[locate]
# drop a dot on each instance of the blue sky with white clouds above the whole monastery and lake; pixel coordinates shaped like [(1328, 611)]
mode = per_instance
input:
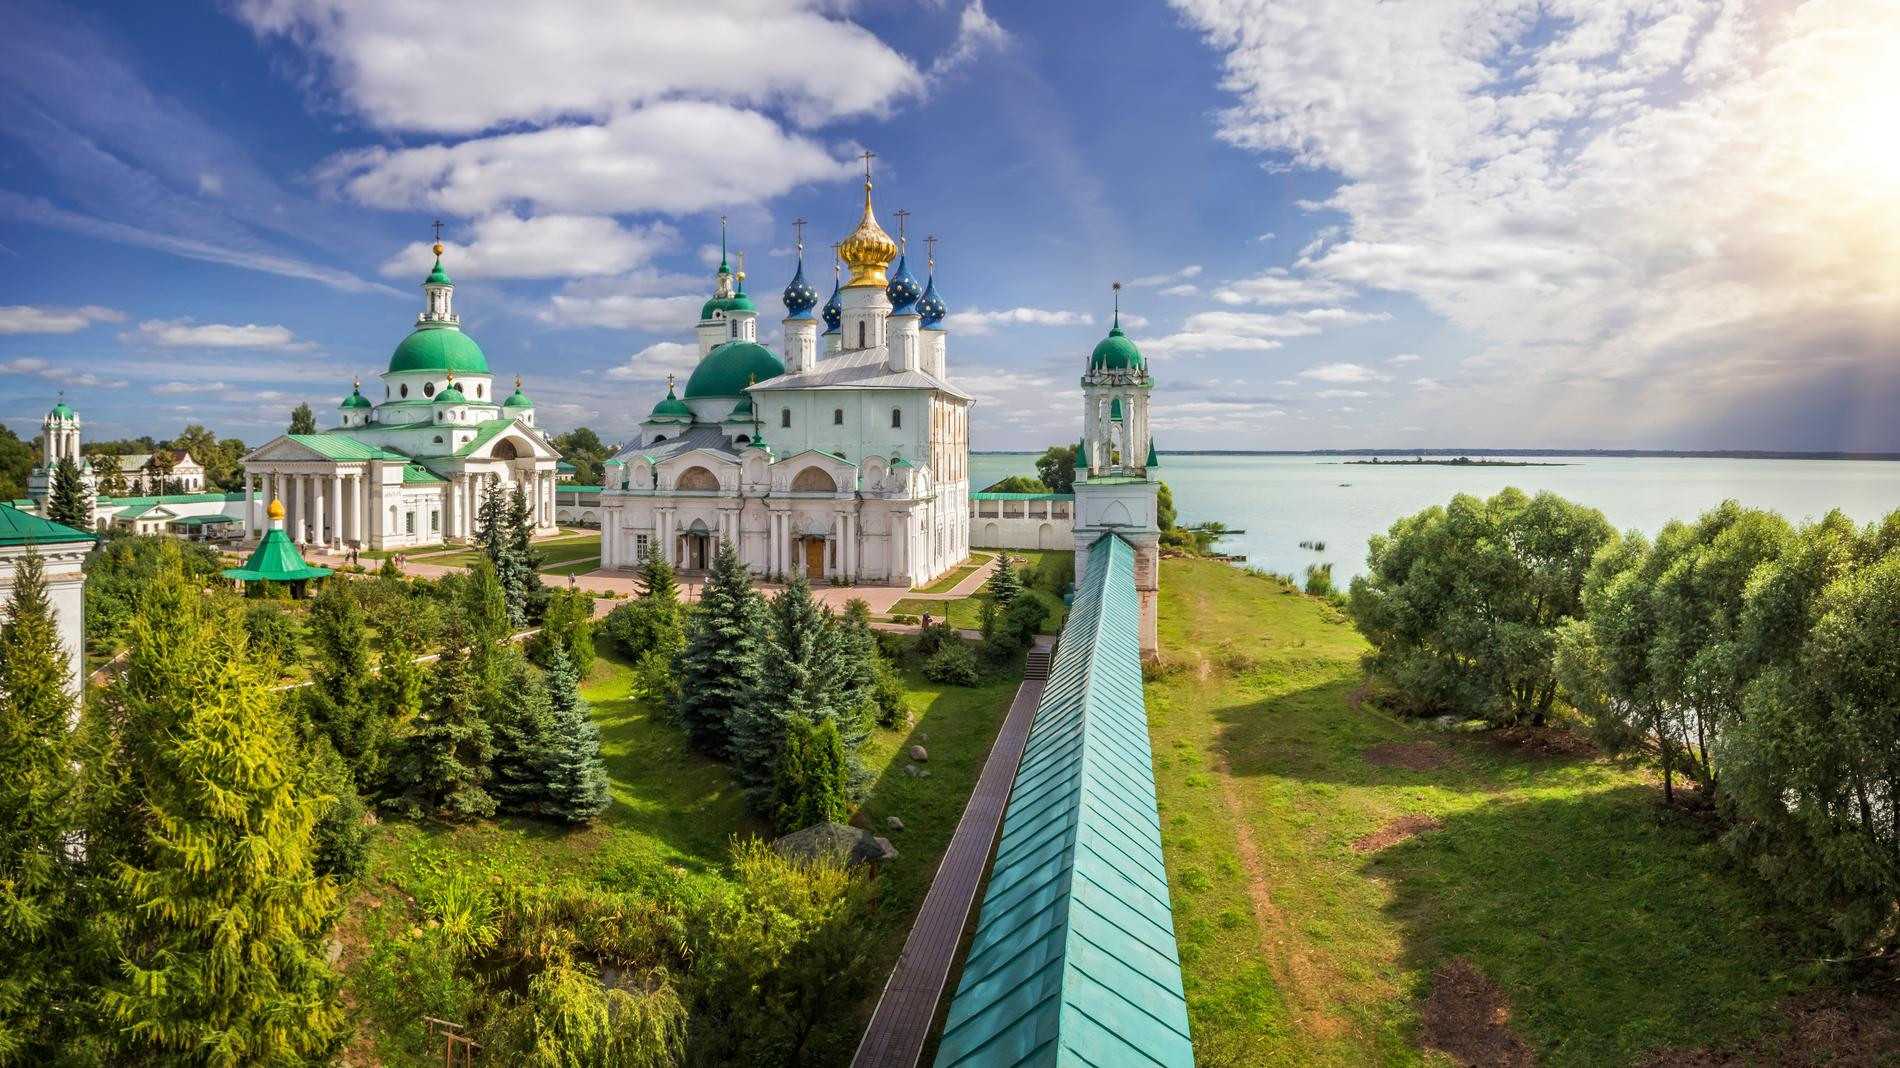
[(1339, 223)]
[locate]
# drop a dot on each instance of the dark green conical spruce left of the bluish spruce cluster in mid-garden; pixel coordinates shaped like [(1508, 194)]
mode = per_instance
[(453, 744)]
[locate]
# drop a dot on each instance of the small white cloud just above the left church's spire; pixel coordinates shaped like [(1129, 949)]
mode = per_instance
[(546, 246)]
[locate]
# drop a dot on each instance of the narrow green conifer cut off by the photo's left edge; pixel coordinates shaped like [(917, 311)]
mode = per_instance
[(37, 917)]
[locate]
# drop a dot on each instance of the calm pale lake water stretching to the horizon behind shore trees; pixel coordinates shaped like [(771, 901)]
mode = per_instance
[(1283, 501)]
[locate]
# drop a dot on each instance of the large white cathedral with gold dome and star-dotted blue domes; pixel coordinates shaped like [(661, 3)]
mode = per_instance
[(845, 459)]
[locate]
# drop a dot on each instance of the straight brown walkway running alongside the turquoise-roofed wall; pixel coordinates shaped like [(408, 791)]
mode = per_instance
[(909, 1004)]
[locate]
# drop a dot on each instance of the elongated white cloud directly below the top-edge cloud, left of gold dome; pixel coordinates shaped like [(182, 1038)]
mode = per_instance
[(674, 157)]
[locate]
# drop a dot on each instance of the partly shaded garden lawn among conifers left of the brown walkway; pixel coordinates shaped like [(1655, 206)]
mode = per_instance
[(675, 814)]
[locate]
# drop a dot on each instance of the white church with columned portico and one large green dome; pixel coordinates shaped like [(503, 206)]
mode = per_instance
[(415, 467)]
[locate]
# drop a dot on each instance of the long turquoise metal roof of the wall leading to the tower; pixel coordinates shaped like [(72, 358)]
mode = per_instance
[(1074, 959)]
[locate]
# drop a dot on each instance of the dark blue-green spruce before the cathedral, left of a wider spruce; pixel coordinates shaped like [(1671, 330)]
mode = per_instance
[(723, 664)]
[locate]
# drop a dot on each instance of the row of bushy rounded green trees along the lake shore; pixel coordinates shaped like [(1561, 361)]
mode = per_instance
[(1749, 658)]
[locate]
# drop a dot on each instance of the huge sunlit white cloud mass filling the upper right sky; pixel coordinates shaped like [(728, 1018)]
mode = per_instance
[(1648, 212)]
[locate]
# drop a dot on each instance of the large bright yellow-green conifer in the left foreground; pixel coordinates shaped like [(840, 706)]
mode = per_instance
[(218, 919)]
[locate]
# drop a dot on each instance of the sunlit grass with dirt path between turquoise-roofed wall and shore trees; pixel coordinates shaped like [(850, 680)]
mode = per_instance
[(1612, 925)]
